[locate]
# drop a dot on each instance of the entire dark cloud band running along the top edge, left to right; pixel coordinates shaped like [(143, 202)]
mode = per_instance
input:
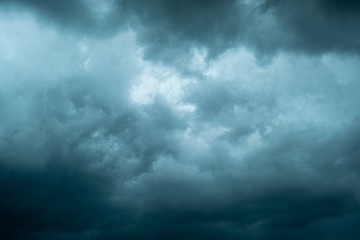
[(173, 28)]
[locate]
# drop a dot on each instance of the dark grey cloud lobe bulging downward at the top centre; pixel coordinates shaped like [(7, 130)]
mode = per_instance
[(169, 27)]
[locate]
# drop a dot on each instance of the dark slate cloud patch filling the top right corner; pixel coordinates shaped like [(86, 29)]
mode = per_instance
[(317, 26)]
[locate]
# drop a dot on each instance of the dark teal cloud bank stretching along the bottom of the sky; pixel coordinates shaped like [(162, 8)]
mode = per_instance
[(69, 200)]
